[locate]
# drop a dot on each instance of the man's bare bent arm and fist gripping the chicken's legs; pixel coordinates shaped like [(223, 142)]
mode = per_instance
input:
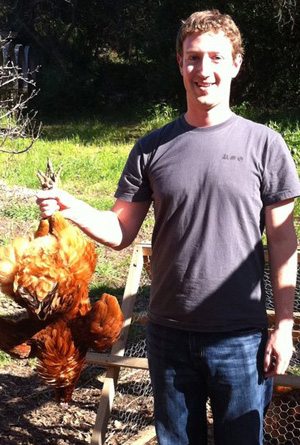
[(116, 228)]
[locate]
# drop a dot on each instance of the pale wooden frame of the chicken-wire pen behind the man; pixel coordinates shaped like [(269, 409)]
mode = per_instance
[(115, 360)]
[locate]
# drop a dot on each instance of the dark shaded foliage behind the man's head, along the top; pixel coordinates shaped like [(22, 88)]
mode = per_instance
[(98, 55)]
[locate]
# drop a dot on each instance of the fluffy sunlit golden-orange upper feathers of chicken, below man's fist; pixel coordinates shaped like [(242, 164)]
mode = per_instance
[(44, 273)]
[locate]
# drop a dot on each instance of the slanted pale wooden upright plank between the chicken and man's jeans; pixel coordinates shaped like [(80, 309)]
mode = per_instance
[(112, 374)]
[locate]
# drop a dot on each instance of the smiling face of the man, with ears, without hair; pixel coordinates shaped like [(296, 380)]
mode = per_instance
[(207, 68)]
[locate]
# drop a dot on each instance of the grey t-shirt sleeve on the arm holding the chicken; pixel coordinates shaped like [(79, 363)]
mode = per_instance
[(134, 185)]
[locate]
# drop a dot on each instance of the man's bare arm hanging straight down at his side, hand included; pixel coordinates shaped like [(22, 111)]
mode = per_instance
[(282, 247)]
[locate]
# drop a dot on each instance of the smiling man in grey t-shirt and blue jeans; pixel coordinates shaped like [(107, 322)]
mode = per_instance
[(216, 180)]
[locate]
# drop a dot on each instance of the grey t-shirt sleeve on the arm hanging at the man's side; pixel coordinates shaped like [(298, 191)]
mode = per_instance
[(280, 176)]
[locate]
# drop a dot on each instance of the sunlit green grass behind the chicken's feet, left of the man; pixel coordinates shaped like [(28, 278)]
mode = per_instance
[(92, 153)]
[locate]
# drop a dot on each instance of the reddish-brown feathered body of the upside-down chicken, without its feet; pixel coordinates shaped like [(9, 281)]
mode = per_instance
[(48, 274)]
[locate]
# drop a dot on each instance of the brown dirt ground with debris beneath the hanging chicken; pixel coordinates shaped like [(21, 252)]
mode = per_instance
[(28, 414)]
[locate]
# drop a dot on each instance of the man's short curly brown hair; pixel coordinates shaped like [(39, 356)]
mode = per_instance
[(210, 20)]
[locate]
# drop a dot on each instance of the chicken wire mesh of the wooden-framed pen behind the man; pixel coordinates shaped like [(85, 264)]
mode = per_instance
[(133, 404)]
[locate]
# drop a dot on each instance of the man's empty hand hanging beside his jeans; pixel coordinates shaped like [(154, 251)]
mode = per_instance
[(279, 351)]
